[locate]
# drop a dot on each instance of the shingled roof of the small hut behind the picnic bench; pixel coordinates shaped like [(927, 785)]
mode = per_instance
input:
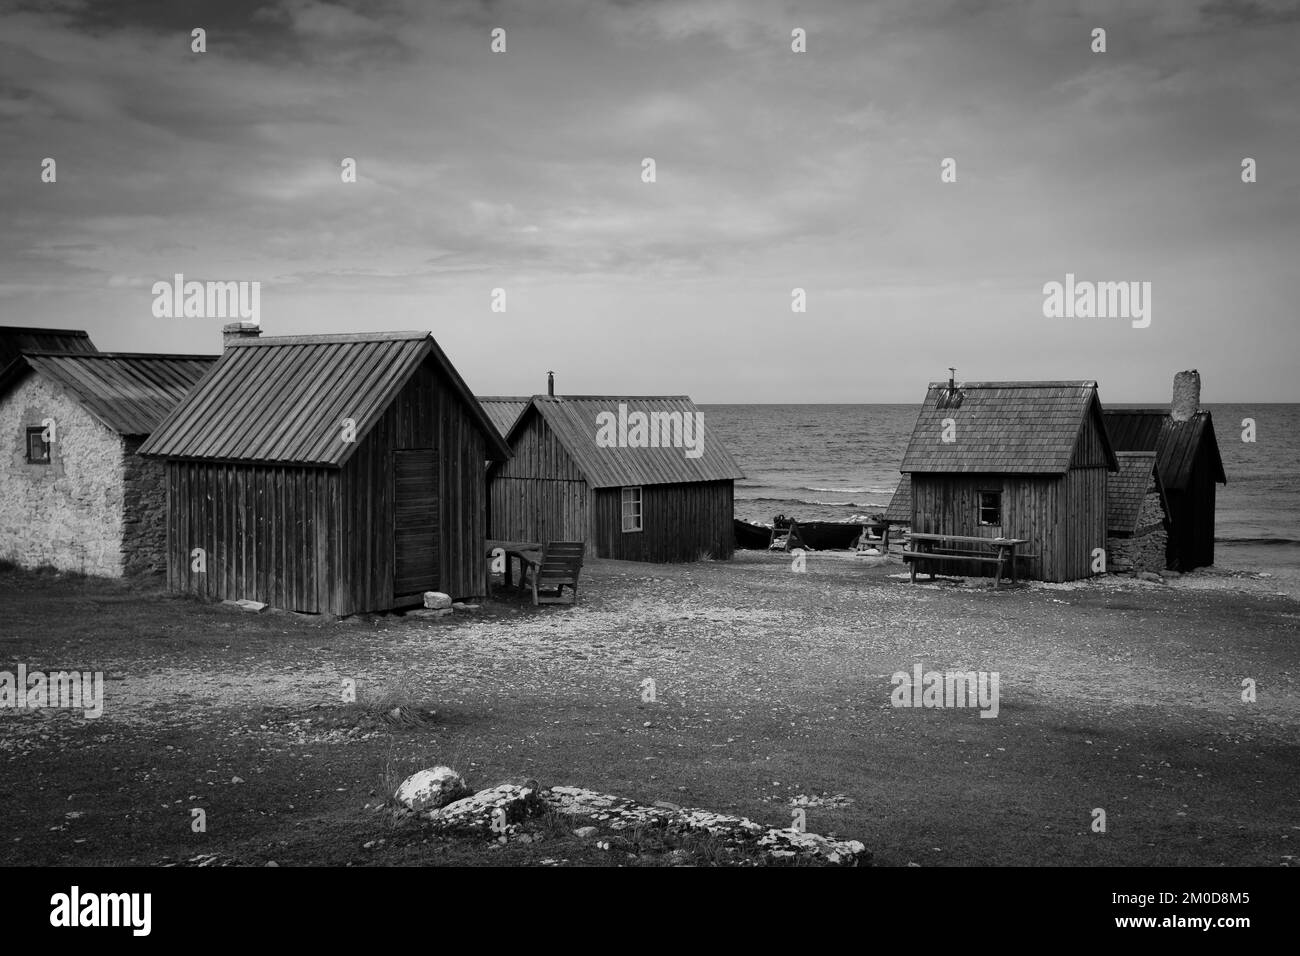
[(1021, 427)]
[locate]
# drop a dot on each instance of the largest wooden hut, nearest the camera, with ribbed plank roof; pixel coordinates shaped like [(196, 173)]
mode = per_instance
[(328, 474)]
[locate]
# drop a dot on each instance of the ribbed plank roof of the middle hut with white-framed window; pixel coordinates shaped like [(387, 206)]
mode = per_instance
[(574, 421)]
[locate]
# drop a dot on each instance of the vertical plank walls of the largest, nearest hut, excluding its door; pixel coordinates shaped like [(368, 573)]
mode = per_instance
[(323, 540)]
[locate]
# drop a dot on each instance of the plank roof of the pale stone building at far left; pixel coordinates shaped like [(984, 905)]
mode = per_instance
[(131, 393)]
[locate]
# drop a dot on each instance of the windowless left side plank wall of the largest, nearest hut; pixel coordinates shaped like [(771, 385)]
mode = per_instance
[(266, 531)]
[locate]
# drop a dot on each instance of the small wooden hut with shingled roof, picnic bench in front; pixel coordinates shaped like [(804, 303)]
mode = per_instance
[(1015, 460)]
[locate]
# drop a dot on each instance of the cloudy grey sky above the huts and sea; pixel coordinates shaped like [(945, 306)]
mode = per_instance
[(774, 171)]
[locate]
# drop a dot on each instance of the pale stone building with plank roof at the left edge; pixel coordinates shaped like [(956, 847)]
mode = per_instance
[(75, 495)]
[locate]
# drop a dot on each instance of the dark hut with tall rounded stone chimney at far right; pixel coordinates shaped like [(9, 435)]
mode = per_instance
[(1190, 468)]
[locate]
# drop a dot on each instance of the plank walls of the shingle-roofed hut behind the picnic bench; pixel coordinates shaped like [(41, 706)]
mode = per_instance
[(1064, 518)]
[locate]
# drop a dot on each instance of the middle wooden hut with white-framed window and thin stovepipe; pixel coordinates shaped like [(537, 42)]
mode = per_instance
[(635, 500)]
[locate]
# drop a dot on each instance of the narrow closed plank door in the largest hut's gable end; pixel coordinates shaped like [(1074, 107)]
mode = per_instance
[(415, 522)]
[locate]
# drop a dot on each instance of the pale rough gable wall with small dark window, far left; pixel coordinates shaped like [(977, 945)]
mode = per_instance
[(68, 513)]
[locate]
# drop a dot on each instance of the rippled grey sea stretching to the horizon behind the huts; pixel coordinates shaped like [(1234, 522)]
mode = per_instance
[(837, 462)]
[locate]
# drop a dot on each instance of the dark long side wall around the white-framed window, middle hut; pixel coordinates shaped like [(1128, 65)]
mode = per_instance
[(679, 522)]
